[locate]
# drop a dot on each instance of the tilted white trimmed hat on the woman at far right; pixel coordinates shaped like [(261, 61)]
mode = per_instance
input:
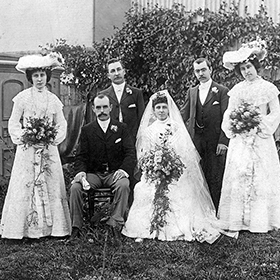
[(252, 49)]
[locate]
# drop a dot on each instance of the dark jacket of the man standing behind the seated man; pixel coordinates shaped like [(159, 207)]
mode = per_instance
[(131, 105)]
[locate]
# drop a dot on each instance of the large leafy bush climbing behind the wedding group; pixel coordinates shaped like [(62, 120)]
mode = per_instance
[(158, 47)]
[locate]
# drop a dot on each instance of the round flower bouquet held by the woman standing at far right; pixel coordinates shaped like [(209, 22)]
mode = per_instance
[(245, 118)]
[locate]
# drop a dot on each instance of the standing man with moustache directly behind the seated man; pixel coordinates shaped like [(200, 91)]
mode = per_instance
[(127, 101)]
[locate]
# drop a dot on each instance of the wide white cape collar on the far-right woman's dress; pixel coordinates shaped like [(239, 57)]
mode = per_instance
[(257, 92)]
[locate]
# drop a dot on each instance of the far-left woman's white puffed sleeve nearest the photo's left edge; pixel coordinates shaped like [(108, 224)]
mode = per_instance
[(14, 124)]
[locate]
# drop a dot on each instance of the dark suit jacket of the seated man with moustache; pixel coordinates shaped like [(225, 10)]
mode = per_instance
[(98, 149)]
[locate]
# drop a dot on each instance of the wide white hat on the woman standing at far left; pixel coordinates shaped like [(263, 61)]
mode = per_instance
[(51, 60)]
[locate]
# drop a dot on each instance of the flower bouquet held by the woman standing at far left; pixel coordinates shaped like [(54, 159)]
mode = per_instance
[(38, 131)]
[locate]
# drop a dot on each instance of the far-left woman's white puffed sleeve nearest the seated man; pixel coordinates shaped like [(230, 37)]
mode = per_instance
[(61, 122)]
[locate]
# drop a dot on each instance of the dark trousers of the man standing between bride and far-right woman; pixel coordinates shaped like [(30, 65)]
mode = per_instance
[(213, 165)]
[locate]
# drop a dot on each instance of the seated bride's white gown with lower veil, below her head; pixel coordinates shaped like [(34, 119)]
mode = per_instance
[(192, 210)]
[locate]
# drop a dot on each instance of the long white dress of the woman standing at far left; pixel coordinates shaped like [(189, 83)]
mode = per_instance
[(36, 210)]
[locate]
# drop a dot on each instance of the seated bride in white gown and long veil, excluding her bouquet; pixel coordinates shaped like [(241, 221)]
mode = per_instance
[(191, 210)]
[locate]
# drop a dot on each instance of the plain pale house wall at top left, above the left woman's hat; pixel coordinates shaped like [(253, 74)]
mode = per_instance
[(27, 24)]
